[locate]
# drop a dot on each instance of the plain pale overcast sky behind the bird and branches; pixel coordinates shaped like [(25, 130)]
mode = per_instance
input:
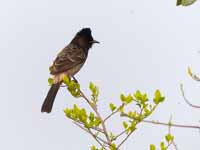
[(145, 45)]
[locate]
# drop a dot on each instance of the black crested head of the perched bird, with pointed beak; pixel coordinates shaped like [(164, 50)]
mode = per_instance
[(84, 39)]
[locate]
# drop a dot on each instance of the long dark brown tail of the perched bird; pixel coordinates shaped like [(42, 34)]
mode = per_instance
[(49, 100)]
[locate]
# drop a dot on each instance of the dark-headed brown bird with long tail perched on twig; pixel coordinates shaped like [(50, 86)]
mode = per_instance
[(67, 63)]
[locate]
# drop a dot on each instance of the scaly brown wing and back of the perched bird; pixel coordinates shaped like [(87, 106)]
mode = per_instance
[(69, 57)]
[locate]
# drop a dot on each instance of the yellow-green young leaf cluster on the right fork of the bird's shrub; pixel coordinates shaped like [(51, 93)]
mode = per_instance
[(145, 108)]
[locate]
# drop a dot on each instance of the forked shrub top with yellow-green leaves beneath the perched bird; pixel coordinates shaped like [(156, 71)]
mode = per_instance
[(95, 124)]
